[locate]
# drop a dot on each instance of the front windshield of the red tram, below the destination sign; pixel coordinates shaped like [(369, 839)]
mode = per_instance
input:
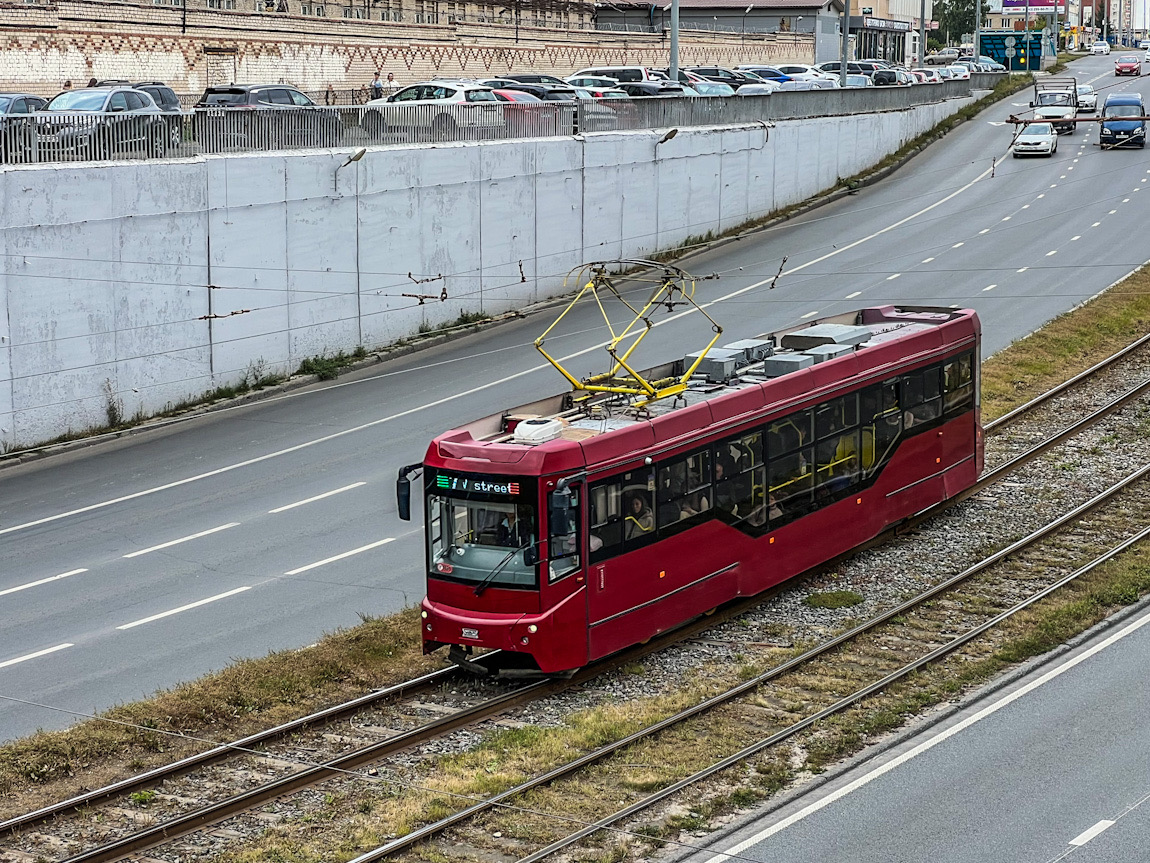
[(490, 544)]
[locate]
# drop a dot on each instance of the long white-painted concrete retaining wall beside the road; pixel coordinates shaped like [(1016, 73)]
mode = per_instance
[(131, 287)]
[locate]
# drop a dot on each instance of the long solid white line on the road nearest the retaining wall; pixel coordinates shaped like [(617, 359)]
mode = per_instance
[(501, 381)]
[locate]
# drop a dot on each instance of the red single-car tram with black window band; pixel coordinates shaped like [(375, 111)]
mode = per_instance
[(570, 529)]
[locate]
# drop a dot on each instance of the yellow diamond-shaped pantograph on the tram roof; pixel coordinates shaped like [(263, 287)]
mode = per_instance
[(673, 288)]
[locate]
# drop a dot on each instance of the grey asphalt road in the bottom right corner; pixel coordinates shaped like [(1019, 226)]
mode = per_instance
[(1054, 767)]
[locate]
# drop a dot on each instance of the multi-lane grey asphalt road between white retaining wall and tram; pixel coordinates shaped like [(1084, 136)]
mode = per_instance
[(137, 564)]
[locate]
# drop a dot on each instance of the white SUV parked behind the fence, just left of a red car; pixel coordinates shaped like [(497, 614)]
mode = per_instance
[(438, 109)]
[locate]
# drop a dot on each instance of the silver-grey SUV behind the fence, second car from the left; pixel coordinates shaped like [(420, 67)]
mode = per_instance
[(102, 123)]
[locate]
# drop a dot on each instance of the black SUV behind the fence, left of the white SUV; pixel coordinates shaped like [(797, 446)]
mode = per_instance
[(263, 116)]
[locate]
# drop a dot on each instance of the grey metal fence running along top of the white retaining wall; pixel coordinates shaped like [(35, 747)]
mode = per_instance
[(52, 138)]
